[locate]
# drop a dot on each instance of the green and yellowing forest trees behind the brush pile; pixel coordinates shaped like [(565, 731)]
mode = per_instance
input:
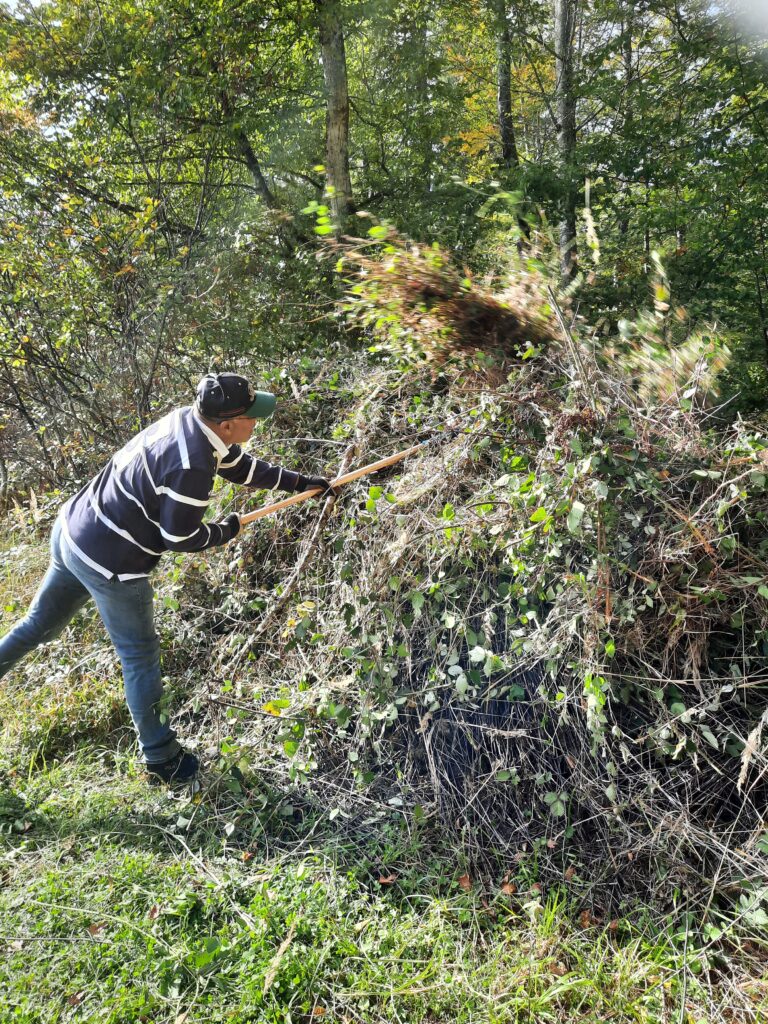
[(163, 166)]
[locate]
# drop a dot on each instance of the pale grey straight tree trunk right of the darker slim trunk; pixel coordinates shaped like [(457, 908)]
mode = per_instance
[(566, 12)]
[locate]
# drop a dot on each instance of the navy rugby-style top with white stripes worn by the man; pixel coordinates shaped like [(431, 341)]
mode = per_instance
[(153, 494)]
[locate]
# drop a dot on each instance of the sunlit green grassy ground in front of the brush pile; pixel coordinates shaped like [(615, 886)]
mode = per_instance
[(246, 902)]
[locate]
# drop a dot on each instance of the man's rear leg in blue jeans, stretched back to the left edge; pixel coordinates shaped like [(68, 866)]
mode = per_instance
[(60, 596)]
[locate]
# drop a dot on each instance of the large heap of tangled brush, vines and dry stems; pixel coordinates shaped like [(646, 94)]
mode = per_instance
[(550, 629)]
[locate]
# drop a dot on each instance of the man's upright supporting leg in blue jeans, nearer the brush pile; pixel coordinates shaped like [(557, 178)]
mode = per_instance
[(126, 610)]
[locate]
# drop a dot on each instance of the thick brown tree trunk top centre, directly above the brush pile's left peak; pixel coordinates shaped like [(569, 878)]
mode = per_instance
[(337, 102)]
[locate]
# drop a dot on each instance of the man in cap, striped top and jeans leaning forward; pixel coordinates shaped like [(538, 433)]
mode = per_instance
[(150, 498)]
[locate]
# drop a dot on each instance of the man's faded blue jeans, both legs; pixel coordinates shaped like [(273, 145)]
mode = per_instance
[(126, 611)]
